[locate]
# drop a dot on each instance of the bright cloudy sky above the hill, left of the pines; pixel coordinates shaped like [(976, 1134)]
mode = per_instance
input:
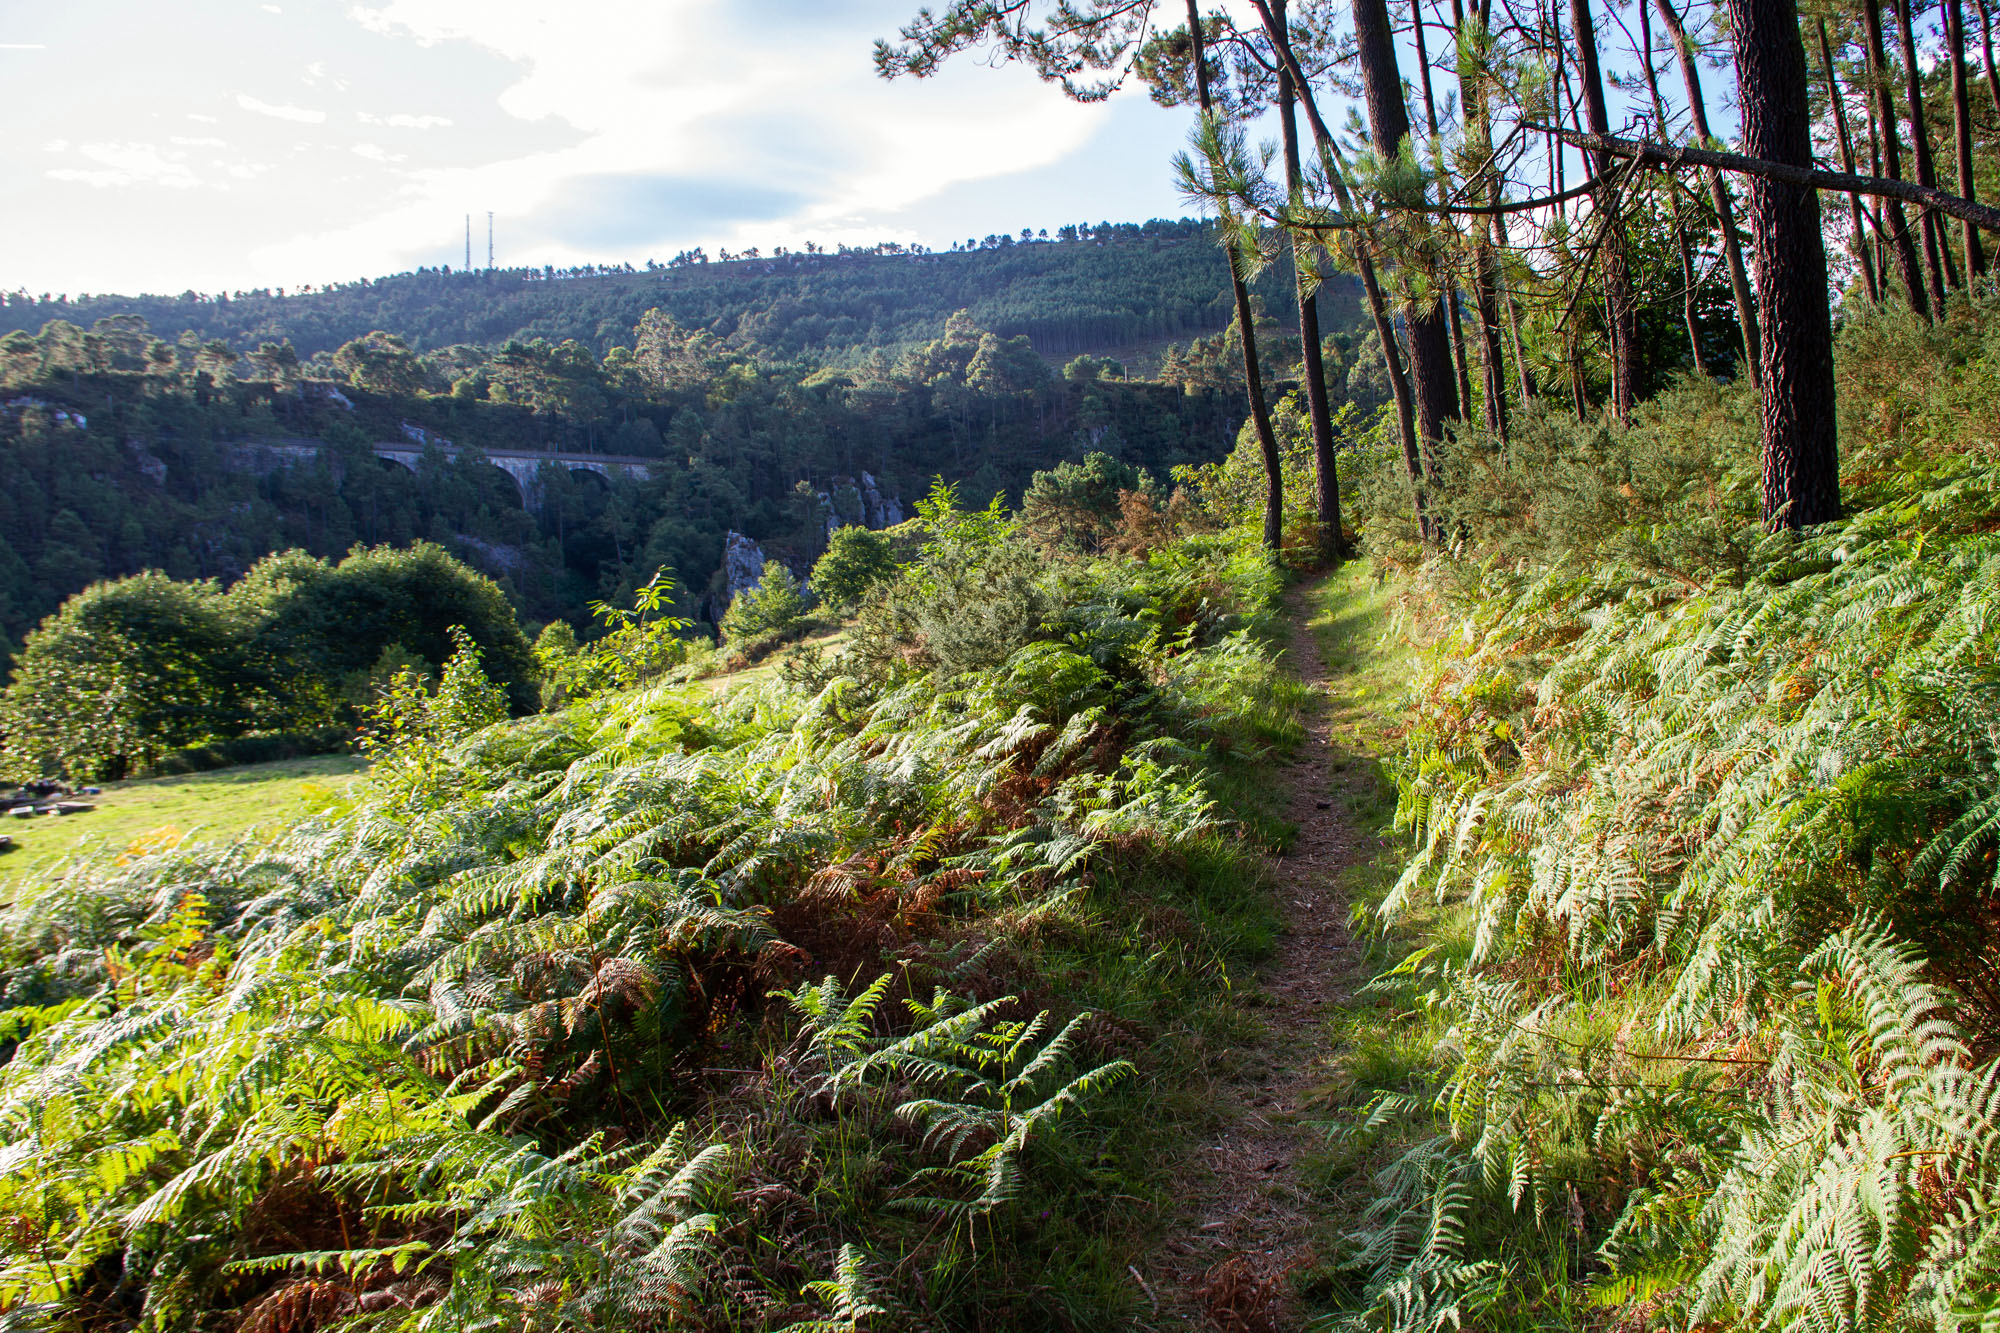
[(227, 145)]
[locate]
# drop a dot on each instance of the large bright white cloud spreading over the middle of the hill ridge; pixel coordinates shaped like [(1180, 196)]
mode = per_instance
[(695, 89)]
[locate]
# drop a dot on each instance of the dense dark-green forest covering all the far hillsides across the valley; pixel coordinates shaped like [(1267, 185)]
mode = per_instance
[(125, 451)]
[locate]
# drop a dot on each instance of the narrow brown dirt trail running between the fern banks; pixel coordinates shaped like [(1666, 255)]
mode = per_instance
[(1247, 1222)]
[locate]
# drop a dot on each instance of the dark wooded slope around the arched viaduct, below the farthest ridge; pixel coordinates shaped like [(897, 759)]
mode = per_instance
[(123, 453)]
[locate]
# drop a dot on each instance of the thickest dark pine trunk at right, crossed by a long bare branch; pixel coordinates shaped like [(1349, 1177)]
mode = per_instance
[(1801, 457)]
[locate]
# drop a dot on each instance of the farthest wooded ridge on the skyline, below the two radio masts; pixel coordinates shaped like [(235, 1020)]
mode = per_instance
[(1087, 289)]
